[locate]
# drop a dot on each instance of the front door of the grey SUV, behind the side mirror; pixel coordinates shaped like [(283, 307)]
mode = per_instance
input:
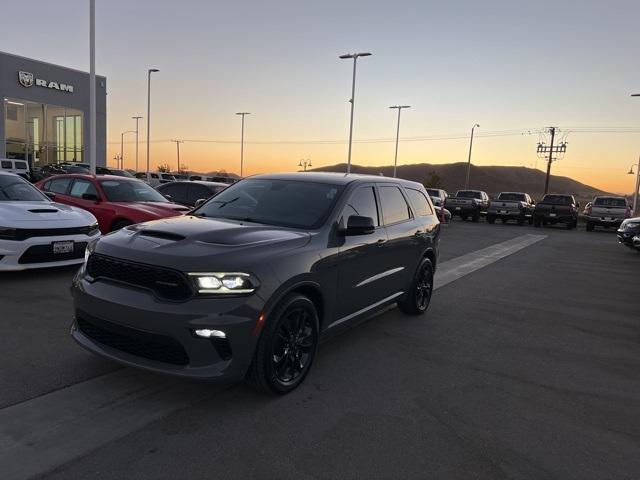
[(360, 263)]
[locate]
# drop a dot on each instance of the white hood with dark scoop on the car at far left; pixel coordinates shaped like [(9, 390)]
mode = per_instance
[(43, 215)]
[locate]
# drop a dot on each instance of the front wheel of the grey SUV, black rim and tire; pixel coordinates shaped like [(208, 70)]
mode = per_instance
[(291, 333)]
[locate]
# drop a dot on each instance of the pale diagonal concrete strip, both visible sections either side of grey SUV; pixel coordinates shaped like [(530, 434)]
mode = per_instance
[(43, 433)]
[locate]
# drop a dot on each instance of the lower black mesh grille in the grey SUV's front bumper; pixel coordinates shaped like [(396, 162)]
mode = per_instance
[(135, 342)]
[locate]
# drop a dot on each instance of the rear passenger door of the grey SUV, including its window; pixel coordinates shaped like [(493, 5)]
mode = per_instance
[(406, 246)]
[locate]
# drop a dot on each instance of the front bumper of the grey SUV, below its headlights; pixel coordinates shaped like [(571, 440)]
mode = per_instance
[(134, 328)]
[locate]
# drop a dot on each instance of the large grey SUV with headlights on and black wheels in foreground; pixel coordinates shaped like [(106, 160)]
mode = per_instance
[(246, 285)]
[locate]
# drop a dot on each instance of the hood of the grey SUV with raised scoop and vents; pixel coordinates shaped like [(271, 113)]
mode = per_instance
[(189, 243)]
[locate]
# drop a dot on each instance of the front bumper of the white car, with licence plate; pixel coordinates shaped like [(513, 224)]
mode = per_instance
[(37, 252)]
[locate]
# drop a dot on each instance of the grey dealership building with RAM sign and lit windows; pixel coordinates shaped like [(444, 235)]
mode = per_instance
[(44, 115)]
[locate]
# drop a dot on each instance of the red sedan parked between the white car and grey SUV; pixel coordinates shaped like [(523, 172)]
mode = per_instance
[(115, 201)]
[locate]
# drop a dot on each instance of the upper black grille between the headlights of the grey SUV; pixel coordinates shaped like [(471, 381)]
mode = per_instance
[(165, 283)]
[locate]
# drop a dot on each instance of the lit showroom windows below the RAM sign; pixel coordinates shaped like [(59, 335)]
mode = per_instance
[(41, 133)]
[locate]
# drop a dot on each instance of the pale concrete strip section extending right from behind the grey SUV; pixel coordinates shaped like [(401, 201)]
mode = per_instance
[(458, 267)]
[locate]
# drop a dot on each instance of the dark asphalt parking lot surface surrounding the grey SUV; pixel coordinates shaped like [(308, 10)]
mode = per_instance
[(527, 368)]
